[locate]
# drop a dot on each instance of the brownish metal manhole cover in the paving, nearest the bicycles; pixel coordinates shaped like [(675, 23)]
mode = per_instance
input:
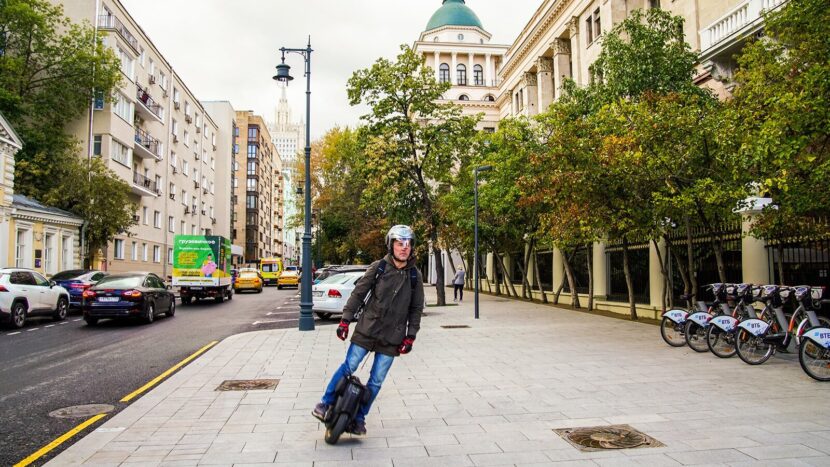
[(600, 438)]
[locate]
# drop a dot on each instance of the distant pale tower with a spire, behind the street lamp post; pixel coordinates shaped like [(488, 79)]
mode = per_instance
[(288, 137)]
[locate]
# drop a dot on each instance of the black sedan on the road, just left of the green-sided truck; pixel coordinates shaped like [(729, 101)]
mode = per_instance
[(140, 295)]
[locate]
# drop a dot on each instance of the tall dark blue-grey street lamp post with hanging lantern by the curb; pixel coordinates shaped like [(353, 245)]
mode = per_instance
[(306, 319)]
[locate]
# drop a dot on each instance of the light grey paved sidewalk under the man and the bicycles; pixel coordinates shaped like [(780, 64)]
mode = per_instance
[(491, 394)]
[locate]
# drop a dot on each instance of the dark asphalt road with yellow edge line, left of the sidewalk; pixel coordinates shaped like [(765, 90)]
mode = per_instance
[(50, 365)]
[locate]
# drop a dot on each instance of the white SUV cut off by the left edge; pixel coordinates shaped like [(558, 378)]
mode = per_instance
[(24, 293)]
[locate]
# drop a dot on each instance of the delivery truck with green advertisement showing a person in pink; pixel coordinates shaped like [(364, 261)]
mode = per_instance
[(202, 267)]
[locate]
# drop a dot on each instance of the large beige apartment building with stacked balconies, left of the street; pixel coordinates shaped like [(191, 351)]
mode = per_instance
[(156, 136)]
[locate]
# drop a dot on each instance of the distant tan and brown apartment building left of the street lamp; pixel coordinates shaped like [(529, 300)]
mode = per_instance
[(254, 200)]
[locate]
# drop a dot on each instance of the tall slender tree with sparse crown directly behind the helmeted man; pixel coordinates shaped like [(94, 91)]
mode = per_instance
[(412, 143)]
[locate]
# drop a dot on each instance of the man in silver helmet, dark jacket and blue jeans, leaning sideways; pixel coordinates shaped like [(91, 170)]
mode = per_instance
[(388, 323)]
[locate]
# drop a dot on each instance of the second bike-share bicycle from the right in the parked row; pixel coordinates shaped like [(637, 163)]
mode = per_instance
[(758, 340)]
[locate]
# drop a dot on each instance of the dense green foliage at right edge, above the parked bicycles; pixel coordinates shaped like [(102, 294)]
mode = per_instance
[(782, 103)]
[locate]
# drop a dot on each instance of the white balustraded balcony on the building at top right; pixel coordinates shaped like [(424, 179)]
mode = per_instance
[(729, 30)]
